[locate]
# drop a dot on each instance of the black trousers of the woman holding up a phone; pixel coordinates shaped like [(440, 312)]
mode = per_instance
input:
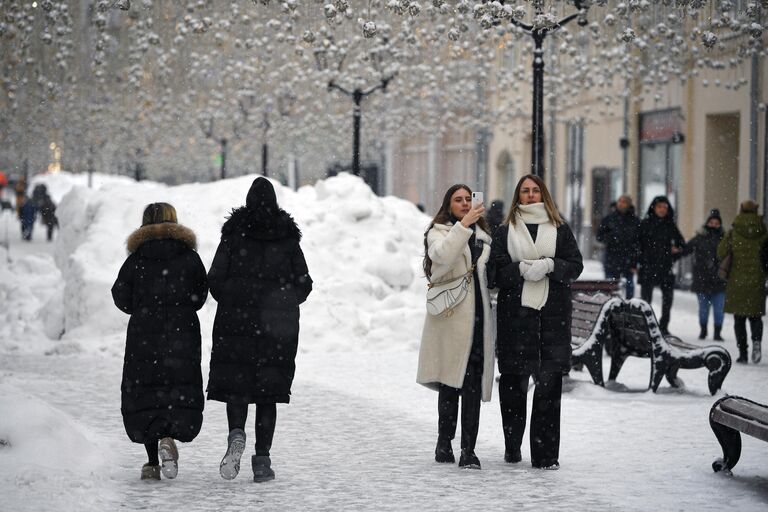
[(448, 409)]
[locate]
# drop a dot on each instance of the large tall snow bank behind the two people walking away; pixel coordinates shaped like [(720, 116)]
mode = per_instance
[(364, 255)]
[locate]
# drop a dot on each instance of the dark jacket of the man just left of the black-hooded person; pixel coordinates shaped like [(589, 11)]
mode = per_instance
[(619, 232)]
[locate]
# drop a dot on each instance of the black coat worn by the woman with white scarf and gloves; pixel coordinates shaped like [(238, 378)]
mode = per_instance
[(530, 341)]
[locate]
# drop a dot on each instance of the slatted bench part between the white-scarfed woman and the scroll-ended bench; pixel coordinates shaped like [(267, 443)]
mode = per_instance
[(590, 330)]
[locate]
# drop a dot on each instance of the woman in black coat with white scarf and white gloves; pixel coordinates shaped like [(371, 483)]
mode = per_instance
[(534, 259)]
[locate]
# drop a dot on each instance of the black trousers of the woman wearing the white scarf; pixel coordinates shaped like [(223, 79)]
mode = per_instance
[(545, 416)]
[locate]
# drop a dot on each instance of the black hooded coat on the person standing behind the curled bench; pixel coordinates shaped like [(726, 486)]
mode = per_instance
[(657, 235)]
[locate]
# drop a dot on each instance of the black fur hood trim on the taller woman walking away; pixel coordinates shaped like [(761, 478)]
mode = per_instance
[(249, 223)]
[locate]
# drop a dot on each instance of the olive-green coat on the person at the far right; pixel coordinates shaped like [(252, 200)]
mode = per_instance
[(745, 291)]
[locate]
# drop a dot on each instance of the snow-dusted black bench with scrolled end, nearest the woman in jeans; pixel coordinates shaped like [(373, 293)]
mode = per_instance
[(635, 332)]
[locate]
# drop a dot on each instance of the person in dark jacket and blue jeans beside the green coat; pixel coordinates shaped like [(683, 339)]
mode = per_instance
[(707, 285)]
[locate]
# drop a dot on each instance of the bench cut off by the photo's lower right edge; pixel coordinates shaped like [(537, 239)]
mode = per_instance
[(731, 415)]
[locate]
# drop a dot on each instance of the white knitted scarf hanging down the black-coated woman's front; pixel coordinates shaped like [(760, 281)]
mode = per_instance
[(521, 247)]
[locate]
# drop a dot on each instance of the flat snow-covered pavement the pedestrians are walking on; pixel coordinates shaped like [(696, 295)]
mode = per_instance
[(359, 435)]
